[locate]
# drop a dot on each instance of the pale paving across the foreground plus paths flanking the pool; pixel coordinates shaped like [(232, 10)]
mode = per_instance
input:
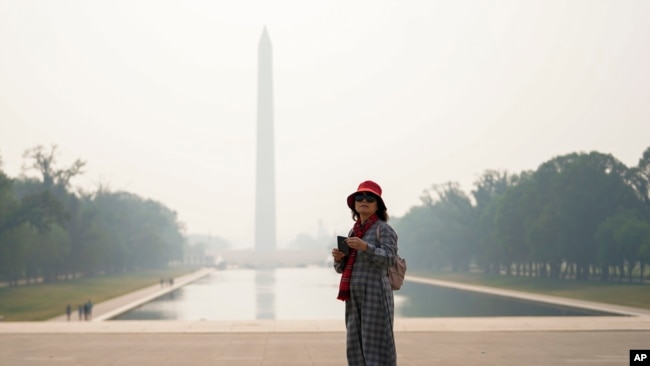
[(503, 341)]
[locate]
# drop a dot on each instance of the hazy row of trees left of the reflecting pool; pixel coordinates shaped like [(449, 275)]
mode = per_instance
[(51, 233)]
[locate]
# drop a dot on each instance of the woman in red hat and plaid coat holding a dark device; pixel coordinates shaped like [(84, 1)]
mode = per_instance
[(369, 305)]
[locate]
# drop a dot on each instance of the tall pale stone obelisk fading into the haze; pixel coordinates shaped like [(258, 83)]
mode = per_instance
[(265, 166)]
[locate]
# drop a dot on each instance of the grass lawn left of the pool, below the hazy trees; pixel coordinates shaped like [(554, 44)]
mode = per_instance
[(45, 301)]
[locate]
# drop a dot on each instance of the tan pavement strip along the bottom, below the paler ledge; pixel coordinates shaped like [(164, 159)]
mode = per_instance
[(502, 348)]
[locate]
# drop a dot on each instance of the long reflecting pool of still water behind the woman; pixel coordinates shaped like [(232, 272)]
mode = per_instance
[(310, 293)]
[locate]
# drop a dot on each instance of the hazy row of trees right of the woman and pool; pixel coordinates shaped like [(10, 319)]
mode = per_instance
[(577, 216)]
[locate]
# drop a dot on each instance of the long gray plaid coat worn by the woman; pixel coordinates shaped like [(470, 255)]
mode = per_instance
[(369, 312)]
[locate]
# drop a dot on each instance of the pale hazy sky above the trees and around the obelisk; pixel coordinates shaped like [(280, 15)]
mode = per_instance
[(159, 97)]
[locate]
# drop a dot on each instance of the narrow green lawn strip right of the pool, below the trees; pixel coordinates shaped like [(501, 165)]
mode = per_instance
[(626, 294)]
